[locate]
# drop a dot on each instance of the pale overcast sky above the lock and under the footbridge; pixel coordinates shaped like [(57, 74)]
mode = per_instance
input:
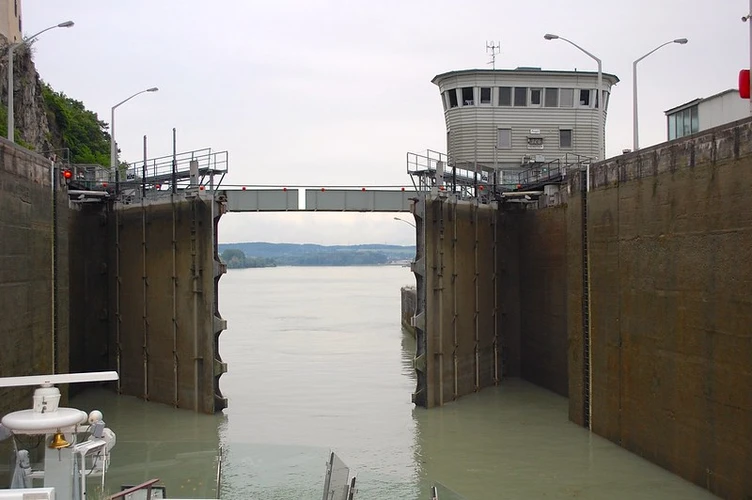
[(329, 92)]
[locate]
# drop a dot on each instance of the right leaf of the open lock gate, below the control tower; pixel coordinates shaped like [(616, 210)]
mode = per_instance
[(457, 323)]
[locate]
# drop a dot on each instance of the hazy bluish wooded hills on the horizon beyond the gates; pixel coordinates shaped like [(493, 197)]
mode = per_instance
[(309, 254)]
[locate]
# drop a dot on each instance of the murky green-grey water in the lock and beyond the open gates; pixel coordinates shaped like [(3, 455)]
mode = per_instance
[(318, 361)]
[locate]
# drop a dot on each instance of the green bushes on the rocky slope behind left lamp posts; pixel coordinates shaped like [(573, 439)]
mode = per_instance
[(80, 130)]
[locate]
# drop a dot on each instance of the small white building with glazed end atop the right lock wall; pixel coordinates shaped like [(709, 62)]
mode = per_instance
[(702, 114)]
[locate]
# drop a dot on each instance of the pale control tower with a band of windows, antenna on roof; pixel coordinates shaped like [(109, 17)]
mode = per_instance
[(506, 120)]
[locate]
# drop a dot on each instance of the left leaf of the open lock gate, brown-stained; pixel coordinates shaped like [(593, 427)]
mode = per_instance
[(164, 289)]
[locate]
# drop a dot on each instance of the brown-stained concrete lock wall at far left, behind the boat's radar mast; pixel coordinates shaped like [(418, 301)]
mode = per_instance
[(33, 271)]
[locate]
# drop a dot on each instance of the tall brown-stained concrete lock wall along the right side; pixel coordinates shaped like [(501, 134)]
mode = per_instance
[(670, 251)]
